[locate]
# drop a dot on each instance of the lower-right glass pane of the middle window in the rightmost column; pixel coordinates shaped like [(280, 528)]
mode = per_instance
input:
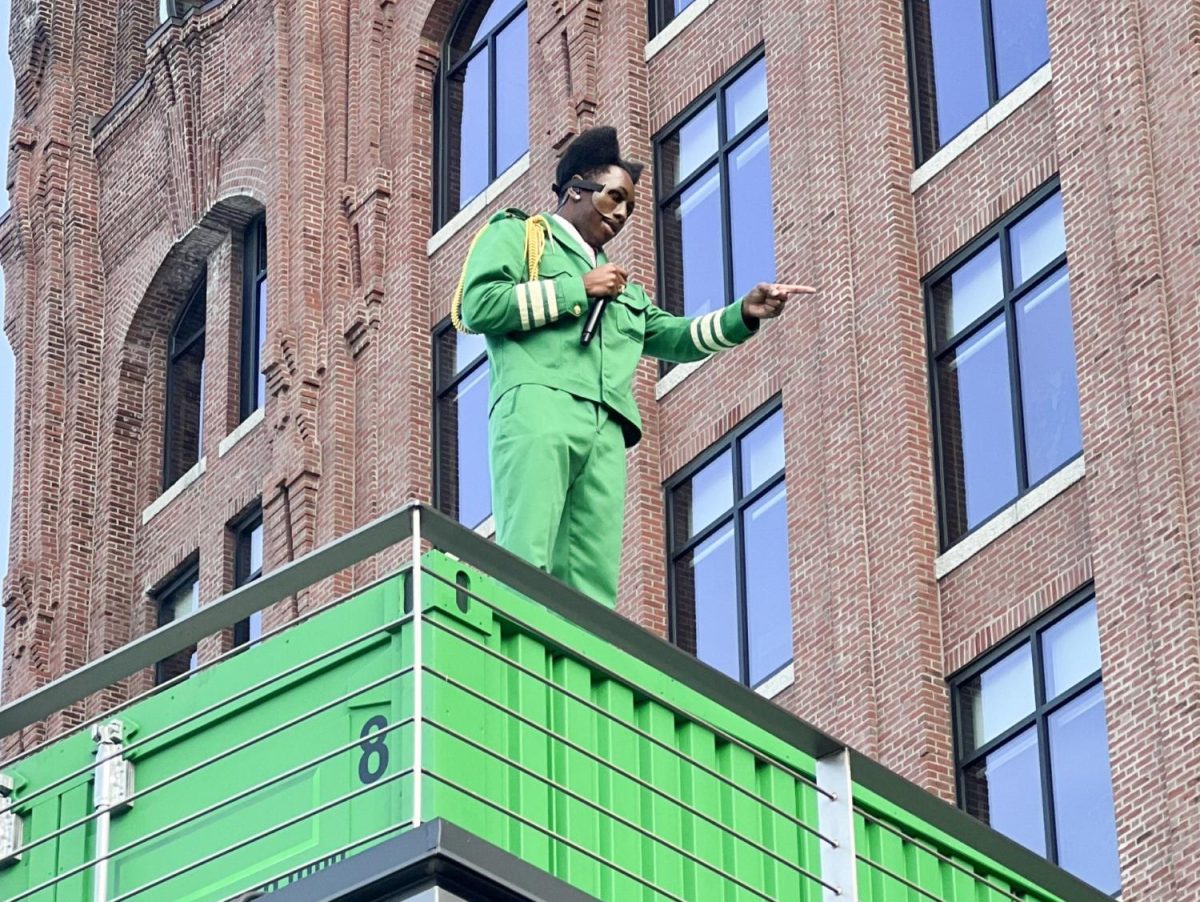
[(1049, 392)]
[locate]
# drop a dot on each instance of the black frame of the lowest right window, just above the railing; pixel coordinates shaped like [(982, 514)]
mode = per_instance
[(1039, 719)]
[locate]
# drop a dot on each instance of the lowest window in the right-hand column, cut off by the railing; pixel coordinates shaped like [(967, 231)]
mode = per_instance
[(1031, 744)]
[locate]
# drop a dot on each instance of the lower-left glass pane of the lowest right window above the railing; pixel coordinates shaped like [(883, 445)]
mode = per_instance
[(1005, 790)]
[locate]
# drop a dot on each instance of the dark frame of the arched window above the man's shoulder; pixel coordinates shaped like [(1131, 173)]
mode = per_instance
[(446, 71)]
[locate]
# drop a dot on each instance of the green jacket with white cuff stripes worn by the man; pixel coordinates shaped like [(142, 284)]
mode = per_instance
[(532, 328)]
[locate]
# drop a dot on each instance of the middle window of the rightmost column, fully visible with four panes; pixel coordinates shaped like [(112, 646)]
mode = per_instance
[(1004, 363)]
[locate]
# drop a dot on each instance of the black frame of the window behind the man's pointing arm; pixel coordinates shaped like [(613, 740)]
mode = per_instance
[(725, 146)]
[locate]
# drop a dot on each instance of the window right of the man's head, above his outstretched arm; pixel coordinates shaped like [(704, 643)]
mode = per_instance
[(716, 237)]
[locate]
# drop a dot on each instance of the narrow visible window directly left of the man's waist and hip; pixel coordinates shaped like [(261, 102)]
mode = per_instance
[(463, 477)]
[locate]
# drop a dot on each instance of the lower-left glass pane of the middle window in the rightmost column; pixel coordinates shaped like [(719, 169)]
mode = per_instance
[(976, 430)]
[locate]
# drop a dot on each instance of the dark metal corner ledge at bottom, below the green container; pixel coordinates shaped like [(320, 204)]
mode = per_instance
[(435, 855)]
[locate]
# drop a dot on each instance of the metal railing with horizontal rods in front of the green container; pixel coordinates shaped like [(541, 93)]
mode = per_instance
[(422, 527)]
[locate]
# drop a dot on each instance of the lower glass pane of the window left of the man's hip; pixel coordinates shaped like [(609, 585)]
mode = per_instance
[(464, 466)]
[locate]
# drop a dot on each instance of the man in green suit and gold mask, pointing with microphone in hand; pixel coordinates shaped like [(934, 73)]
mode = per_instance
[(562, 408)]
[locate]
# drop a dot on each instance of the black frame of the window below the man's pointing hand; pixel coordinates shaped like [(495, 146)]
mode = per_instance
[(742, 502)]
